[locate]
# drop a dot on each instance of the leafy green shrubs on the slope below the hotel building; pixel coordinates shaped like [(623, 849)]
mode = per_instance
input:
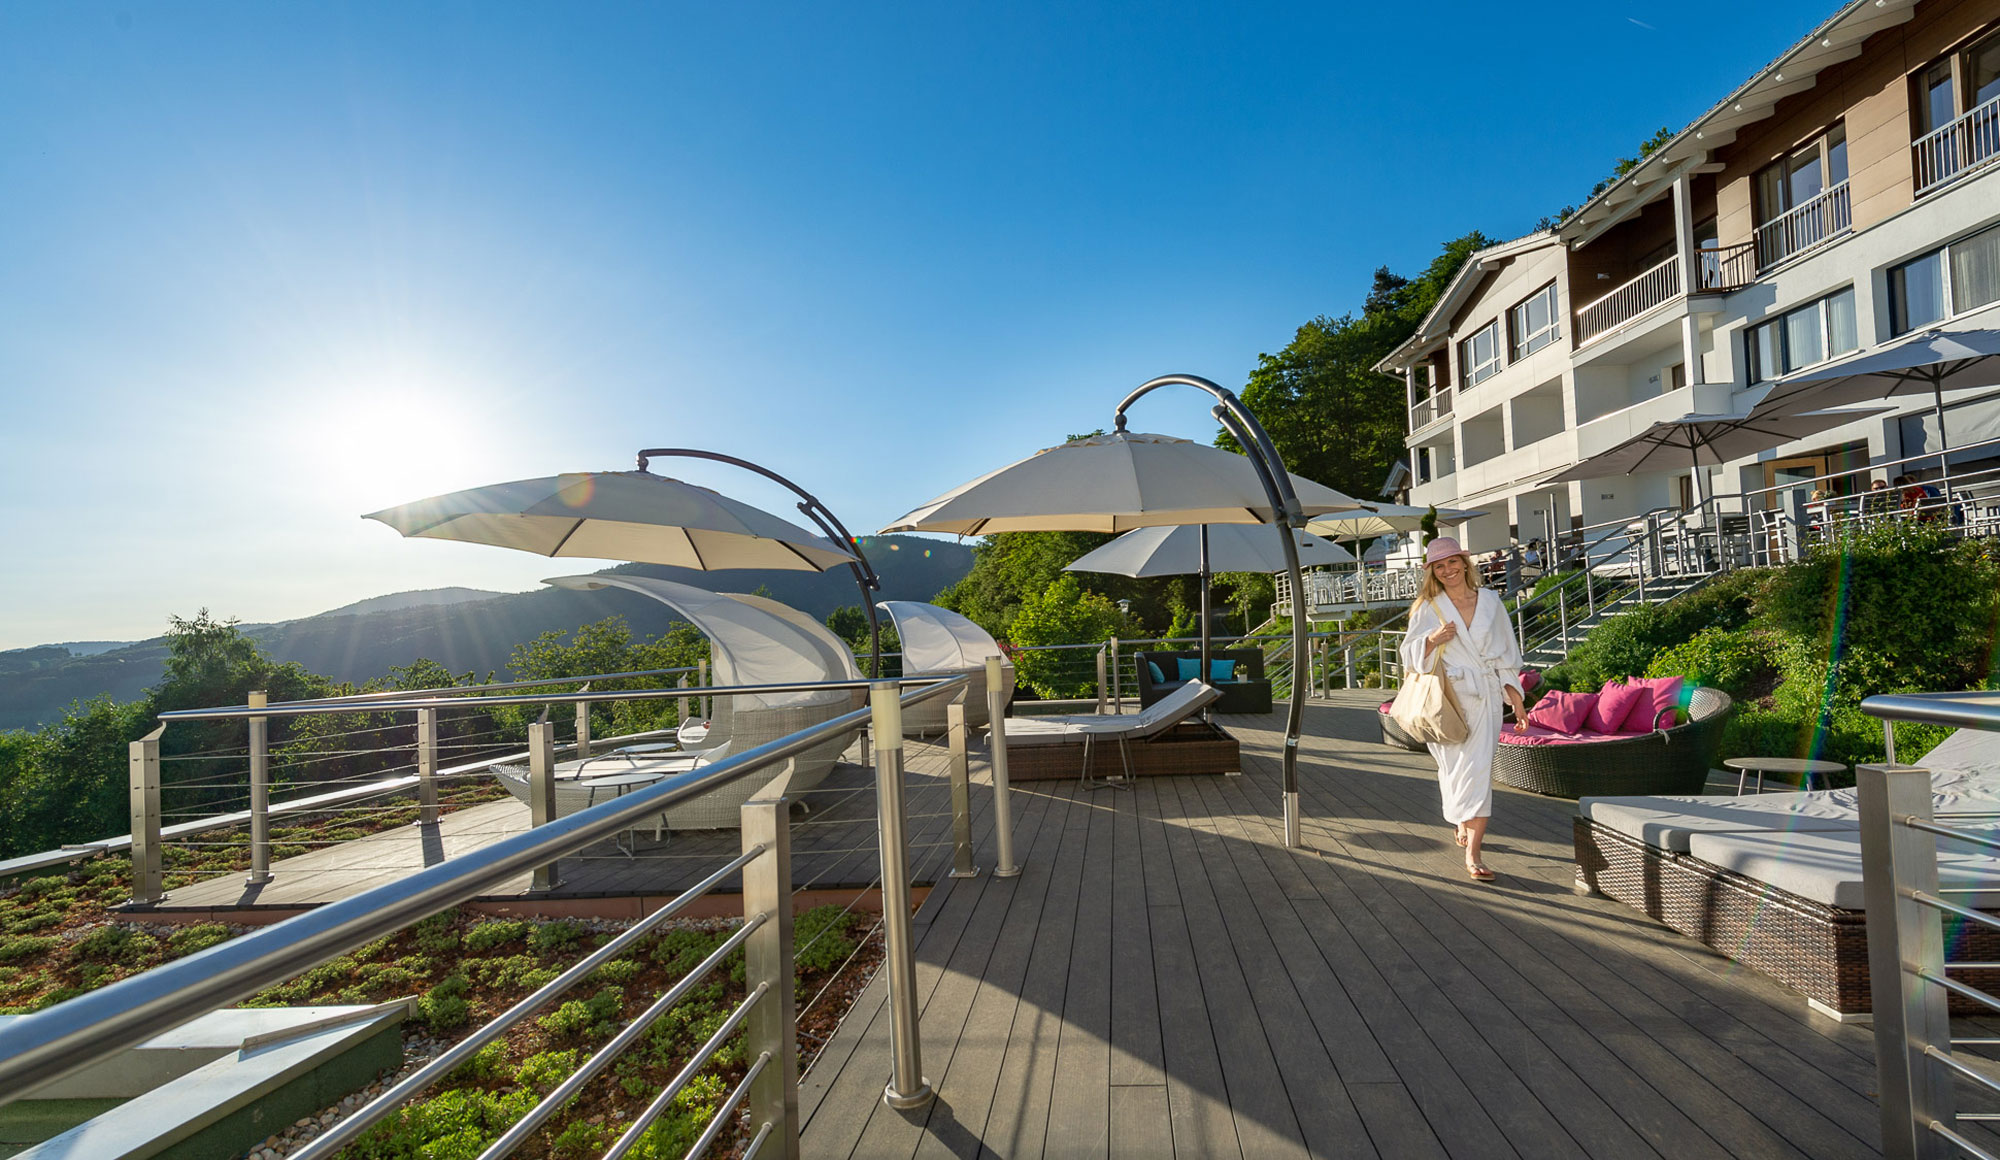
[(1901, 607)]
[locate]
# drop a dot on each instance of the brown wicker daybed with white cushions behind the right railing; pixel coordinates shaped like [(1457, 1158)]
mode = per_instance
[(1775, 881)]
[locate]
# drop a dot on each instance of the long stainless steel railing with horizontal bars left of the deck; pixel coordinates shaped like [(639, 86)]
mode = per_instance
[(87, 1029)]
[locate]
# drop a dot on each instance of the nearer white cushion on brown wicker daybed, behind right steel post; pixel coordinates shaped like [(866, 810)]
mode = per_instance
[(1827, 867)]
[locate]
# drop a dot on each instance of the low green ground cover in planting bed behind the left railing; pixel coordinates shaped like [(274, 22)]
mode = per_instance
[(63, 939)]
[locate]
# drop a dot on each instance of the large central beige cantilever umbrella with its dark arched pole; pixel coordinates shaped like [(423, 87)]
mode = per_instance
[(1123, 481)]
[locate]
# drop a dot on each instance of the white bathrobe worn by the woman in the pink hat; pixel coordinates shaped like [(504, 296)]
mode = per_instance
[(1481, 661)]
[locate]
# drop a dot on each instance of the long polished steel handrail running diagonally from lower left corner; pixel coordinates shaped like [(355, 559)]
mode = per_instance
[(73, 1035)]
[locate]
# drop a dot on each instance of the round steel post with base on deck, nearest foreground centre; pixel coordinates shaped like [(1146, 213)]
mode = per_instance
[(907, 1087)]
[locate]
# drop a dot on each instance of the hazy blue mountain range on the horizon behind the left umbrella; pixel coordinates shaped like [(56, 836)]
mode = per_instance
[(461, 629)]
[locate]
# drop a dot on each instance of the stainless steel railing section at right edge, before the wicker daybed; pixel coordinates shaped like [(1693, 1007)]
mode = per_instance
[(1919, 1061)]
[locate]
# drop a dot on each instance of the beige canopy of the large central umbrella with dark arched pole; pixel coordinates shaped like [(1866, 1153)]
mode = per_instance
[(1115, 483)]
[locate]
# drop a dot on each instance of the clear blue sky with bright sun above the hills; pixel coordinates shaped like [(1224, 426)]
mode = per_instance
[(267, 267)]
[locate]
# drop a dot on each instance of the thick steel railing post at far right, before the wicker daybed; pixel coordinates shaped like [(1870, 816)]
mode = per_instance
[(1905, 937)]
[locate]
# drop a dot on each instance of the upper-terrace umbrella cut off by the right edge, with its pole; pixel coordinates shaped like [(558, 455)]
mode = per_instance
[(1933, 363)]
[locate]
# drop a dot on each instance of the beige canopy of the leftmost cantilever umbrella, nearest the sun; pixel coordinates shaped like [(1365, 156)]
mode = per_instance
[(619, 517)]
